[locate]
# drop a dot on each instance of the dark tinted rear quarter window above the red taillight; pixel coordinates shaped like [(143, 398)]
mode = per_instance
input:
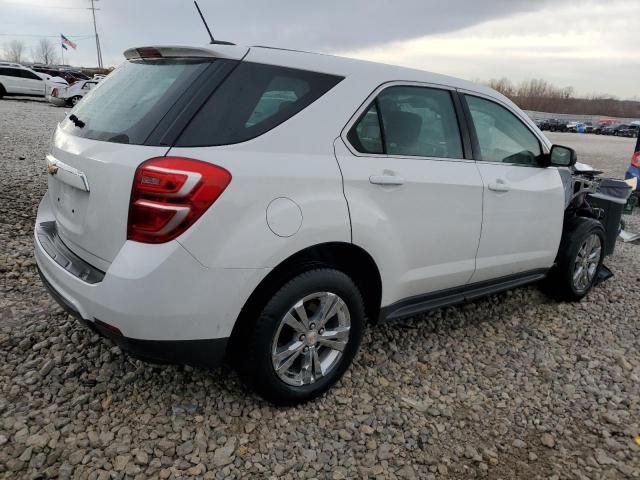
[(254, 99)]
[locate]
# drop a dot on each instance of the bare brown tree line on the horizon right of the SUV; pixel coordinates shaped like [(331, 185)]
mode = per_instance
[(542, 96)]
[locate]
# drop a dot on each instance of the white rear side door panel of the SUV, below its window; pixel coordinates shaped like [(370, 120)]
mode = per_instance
[(422, 234)]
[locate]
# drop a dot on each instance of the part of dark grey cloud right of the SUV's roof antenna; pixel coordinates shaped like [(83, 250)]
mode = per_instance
[(347, 24)]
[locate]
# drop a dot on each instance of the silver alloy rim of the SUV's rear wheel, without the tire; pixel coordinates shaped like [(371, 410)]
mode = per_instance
[(311, 338)]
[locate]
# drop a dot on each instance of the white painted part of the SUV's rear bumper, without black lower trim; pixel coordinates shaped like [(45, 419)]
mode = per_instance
[(155, 292)]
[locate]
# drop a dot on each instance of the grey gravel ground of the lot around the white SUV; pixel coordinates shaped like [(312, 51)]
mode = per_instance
[(513, 386)]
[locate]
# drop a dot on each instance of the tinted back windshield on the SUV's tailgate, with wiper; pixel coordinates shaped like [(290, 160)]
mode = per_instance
[(131, 101)]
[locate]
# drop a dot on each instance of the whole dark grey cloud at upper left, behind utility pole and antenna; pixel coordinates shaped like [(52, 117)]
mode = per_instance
[(329, 25)]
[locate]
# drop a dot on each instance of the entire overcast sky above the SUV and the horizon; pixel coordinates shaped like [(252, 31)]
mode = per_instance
[(591, 45)]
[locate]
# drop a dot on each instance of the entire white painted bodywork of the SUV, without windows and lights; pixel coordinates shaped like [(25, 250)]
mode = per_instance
[(423, 235)]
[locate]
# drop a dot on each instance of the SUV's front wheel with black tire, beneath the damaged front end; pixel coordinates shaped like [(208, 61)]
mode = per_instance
[(579, 259)]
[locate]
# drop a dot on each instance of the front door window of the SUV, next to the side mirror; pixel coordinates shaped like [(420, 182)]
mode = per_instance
[(502, 137)]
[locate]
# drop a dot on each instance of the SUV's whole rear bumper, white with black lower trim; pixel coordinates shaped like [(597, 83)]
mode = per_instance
[(156, 301)]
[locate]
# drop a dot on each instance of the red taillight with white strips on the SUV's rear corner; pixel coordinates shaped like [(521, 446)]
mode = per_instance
[(169, 194)]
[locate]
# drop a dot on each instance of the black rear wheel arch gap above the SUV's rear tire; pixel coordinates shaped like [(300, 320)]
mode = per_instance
[(346, 257)]
